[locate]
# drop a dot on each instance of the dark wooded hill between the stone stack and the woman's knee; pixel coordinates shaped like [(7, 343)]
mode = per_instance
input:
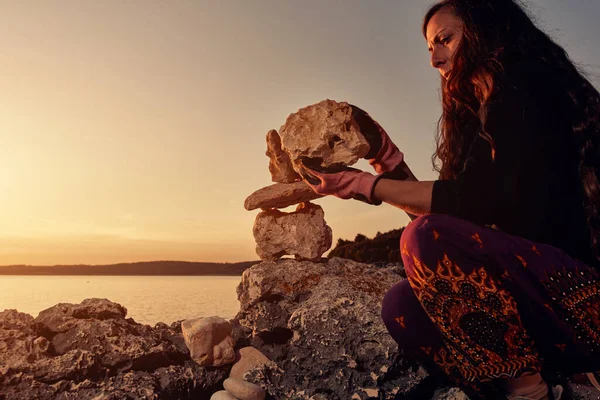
[(383, 248)]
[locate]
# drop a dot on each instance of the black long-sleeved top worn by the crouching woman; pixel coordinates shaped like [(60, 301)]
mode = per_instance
[(530, 186)]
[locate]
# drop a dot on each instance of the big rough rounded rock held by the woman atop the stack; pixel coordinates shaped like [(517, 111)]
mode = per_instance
[(326, 131)]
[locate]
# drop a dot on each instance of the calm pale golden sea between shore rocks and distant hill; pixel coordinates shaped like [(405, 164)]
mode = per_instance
[(148, 299)]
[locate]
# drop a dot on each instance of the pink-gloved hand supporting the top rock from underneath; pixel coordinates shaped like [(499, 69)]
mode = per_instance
[(340, 181)]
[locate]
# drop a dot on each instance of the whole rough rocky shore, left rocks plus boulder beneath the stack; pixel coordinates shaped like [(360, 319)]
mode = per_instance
[(317, 324)]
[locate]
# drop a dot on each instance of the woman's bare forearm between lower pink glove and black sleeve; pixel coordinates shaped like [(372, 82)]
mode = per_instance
[(412, 196)]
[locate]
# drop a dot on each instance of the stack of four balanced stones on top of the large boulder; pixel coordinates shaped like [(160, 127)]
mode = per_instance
[(325, 133)]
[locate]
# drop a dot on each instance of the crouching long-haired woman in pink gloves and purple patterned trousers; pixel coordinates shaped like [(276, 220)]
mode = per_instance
[(502, 261)]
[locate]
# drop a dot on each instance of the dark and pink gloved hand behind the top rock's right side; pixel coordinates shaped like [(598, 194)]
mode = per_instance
[(383, 155)]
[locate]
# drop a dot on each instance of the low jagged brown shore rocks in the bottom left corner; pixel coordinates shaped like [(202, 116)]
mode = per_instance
[(90, 350)]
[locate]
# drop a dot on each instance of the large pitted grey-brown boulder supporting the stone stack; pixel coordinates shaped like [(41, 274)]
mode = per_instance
[(320, 323)]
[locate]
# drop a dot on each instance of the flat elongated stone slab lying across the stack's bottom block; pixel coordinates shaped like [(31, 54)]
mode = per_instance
[(280, 195)]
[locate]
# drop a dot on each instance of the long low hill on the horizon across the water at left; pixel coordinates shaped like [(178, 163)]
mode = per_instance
[(138, 268)]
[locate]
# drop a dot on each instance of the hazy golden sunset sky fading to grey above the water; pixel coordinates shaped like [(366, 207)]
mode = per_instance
[(134, 131)]
